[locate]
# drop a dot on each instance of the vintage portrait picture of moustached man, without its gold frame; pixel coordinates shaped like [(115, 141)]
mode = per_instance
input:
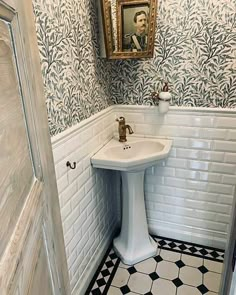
[(135, 28)]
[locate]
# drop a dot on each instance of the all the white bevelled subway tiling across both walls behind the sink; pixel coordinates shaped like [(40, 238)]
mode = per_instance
[(188, 196)]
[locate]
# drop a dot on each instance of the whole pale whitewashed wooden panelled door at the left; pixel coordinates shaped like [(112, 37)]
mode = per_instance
[(32, 255)]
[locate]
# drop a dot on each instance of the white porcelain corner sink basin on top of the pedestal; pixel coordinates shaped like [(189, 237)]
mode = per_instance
[(137, 153)]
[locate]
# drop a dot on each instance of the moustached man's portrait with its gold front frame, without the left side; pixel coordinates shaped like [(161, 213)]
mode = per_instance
[(136, 21)]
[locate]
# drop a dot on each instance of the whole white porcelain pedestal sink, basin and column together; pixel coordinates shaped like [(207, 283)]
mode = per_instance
[(132, 158)]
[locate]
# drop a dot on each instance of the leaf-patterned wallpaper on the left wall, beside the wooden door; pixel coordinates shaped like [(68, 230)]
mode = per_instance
[(76, 80)]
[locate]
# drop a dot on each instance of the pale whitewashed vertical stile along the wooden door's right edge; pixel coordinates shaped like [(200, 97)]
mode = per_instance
[(21, 16)]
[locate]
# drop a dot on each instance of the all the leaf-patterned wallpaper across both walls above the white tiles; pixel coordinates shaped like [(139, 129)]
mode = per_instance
[(195, 51)]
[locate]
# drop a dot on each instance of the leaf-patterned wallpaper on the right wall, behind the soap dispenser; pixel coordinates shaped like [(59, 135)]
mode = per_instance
[(195, 50)]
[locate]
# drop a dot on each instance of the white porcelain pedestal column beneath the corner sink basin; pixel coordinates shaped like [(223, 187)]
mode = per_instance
[(134, 243)]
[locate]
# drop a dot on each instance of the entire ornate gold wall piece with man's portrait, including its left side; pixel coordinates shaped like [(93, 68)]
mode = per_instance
[(131, 43)]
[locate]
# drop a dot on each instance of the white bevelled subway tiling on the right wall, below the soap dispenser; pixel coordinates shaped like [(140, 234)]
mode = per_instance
[(189, 195)]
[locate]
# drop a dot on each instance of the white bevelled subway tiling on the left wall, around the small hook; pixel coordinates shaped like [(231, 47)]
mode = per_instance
[(87, 197)]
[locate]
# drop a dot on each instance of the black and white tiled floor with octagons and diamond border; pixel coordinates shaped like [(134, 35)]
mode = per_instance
[(179, 268)]
